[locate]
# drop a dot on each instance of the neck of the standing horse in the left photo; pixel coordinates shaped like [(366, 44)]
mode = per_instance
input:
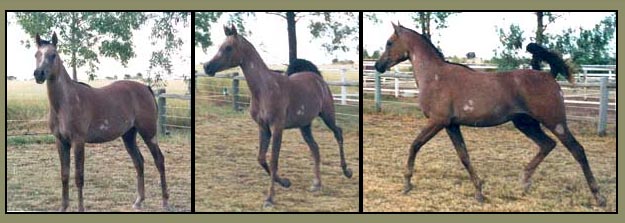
[(59, 89)]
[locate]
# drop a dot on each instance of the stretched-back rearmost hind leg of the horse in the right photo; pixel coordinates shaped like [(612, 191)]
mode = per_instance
[(561, 130)]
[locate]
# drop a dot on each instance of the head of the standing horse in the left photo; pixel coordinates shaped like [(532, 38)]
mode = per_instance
[(48, 61)]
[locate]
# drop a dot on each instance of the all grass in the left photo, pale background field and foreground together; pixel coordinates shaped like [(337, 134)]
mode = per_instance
[(33, 167)]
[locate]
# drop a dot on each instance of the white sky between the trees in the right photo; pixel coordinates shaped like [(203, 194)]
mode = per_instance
[(475, 31)]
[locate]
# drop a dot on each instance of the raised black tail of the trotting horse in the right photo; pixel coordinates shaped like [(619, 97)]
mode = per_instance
[(558, 65)]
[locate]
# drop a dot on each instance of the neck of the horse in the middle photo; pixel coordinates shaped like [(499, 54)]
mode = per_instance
[(258, 76)]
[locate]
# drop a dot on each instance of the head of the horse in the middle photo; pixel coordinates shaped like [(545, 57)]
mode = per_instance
[(229, 55)]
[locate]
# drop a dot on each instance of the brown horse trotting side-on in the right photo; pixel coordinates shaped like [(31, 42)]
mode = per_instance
[(452, 95)]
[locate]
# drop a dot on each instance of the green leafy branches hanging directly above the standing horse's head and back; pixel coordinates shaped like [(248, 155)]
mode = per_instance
[(81, 32)]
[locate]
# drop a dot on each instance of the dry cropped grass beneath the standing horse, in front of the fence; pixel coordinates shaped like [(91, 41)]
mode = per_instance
[(33, 178)]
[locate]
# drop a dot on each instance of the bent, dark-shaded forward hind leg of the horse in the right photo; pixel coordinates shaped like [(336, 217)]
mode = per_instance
[(531, 128)]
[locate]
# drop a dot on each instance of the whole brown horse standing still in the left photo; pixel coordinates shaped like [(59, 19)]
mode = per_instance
[(80, 114)]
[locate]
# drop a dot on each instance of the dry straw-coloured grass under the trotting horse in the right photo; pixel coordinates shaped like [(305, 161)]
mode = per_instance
[(498, 154)]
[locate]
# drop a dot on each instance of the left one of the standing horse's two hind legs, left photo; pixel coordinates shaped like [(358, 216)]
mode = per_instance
[(130, 141)]
